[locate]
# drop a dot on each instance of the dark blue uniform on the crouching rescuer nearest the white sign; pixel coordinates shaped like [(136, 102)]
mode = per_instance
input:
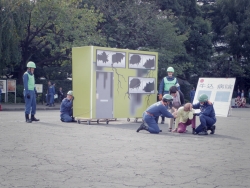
[(207, 116)]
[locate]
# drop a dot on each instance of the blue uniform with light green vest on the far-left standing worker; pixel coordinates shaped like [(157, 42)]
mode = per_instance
[(29, 90)]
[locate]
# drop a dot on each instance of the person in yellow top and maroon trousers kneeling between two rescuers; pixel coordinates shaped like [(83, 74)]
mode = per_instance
[(185, 117)]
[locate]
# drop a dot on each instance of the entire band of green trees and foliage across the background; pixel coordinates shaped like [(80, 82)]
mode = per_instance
[(210, 40)]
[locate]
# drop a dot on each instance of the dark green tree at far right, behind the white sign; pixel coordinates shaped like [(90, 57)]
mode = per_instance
[(231, 35)]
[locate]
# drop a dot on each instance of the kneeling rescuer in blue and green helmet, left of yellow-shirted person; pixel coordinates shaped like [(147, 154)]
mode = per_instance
[(151, 115)]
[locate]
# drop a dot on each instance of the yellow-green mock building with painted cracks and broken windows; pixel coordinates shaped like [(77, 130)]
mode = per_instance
[(113, 83)]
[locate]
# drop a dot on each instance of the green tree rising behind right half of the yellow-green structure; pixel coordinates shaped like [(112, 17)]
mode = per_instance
[(140, 25)]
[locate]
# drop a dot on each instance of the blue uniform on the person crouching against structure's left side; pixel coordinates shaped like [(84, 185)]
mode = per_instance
[(66, 110)]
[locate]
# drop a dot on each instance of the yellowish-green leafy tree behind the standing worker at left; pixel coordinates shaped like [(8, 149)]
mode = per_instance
[(53, 28)]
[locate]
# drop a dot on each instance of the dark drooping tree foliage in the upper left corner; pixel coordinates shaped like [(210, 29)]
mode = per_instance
[(12, 15)]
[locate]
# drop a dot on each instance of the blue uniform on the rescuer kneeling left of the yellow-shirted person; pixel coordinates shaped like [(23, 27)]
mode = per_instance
[(151, 116)]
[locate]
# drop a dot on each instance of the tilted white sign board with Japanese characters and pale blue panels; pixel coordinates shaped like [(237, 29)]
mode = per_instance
[(219, 92)]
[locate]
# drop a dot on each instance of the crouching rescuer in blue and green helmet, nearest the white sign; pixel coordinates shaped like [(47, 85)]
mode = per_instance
[(207, 115)]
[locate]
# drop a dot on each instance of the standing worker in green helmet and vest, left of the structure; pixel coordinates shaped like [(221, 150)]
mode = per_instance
[(30, 92)]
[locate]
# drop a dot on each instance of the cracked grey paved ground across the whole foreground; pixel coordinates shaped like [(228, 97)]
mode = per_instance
[(50, 153)]
